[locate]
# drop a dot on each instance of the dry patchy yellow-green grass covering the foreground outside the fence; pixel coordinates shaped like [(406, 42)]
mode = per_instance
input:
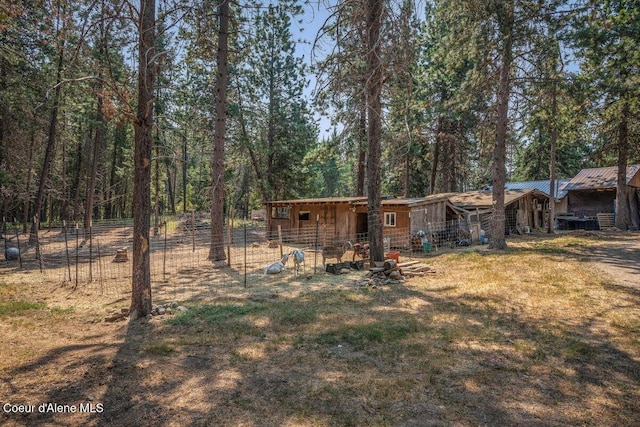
[(536, 335)]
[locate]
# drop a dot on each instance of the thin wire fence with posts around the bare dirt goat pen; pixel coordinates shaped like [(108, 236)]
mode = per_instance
[(98, 258)]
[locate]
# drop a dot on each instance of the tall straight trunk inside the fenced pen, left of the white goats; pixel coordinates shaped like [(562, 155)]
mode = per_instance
[(216, 251)]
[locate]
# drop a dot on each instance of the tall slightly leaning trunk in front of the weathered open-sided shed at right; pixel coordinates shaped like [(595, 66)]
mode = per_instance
[(499, 154)]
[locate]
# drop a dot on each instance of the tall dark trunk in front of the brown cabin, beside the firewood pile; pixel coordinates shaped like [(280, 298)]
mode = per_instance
[(374, 115)]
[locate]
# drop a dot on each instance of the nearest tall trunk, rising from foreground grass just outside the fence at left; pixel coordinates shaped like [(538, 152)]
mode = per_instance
[(141, 274)]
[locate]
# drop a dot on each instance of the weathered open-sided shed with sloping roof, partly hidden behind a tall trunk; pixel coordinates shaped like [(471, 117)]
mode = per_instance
[(524, 209)]
